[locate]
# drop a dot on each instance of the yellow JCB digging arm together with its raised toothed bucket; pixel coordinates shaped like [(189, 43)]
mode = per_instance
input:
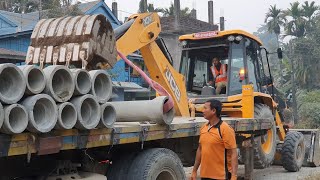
[(89, 42)]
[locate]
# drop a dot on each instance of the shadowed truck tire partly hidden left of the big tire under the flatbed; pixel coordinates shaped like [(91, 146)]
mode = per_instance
[(119, 169)]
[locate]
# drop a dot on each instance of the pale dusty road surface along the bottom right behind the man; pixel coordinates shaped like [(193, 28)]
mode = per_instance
[(278, 173)]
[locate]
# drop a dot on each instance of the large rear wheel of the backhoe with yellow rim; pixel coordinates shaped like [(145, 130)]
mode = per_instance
[(264, 147)]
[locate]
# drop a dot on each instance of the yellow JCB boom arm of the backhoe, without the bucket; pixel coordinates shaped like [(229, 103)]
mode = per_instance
[(140, 33)]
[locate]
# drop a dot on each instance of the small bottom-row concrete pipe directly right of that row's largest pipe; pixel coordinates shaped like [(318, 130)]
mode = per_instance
[(67, 116)]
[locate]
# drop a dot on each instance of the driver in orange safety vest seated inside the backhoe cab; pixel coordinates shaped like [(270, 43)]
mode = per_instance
[(219, 73)]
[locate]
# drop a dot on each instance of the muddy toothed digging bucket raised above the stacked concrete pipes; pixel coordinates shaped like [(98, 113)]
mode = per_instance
[(82, 41)]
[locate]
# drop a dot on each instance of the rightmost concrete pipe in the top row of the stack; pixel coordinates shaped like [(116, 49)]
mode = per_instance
[(101, 85)]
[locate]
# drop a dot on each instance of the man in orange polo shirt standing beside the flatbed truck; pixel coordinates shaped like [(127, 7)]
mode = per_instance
[(217, 151)]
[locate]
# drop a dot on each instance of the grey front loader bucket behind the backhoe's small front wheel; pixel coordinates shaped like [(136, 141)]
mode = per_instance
[(312, 148)]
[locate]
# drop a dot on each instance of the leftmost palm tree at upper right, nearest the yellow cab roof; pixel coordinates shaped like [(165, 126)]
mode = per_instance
[(274, 20)]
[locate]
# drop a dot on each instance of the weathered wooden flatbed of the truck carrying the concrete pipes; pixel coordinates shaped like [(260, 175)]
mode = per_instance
[(122, 133)]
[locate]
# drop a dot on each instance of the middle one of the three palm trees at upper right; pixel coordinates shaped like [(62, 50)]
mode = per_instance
[(297, 24)]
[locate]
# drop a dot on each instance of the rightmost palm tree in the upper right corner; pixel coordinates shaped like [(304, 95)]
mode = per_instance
[(309, 11)]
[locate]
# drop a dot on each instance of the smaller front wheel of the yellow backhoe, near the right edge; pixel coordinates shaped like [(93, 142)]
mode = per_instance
[(293, 150)]
